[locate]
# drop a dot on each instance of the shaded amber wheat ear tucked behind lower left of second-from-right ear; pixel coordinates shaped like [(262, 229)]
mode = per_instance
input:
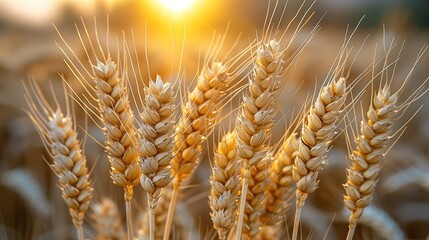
[(281, 180)]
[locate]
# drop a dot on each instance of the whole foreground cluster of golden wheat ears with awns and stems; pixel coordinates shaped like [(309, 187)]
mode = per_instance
[(159, 146)]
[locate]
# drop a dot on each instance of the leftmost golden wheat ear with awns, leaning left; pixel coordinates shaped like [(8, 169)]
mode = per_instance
[(57, 129)]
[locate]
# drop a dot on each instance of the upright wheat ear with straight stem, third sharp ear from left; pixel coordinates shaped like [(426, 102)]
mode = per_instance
[(156, 136)]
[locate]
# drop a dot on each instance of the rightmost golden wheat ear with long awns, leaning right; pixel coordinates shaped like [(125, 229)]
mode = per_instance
[(372, 141)]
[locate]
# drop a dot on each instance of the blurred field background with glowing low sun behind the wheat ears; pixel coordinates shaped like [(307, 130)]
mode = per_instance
[(159, 29)]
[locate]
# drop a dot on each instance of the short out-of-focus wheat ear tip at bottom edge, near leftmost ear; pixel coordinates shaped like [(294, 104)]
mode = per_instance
[(107, 221)]
